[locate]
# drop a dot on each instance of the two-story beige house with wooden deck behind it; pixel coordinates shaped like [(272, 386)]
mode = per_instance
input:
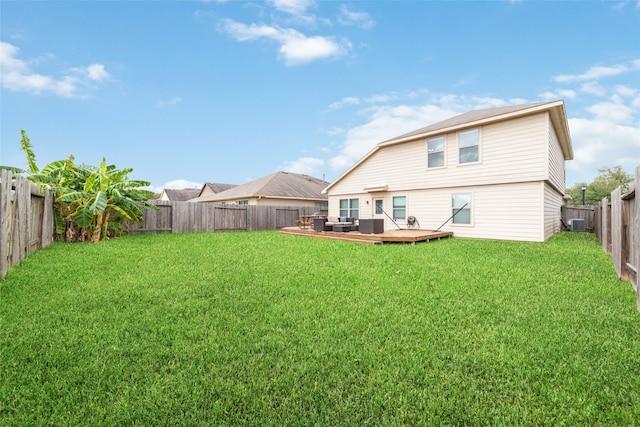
[(502, 169)]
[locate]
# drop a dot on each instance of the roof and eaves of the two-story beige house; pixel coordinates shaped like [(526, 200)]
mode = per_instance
[(482, 117)]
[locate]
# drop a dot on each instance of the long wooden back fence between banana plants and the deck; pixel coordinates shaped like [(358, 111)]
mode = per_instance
[(185, 217)]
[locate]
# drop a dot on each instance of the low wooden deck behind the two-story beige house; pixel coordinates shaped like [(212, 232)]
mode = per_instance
[(389, 236)]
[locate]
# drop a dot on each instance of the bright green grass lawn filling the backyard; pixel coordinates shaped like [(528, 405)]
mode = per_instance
[(265, 329)]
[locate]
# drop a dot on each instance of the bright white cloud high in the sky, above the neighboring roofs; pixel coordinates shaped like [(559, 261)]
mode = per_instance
[(295, 47)]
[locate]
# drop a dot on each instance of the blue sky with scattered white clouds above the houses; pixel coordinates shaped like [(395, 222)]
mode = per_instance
[(229, 91)]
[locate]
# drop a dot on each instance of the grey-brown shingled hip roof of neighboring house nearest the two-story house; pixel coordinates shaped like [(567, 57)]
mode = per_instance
[(279, 185)]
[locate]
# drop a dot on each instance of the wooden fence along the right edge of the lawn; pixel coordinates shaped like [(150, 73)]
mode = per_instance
[(618, 230)]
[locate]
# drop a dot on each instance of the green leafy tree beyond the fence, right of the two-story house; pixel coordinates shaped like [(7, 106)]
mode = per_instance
[(608, 180)]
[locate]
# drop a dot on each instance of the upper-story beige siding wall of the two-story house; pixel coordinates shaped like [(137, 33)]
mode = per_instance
[(510, 151)]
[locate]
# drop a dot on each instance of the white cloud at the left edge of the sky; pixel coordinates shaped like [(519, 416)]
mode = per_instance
[(16, 75)]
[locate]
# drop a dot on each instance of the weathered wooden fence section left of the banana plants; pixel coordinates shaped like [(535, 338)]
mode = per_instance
[(26, 219)]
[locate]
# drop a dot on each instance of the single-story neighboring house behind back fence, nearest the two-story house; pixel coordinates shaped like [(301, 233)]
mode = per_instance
[(277, 189)]
